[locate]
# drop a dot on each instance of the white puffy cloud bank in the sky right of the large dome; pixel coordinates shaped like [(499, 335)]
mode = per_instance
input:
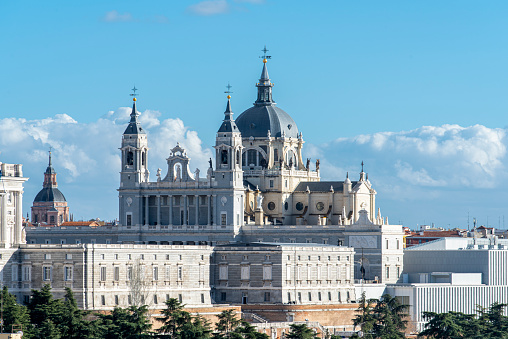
[(447, 155)]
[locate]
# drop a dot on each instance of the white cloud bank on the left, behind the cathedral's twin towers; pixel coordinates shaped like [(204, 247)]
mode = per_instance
[(86, 155)]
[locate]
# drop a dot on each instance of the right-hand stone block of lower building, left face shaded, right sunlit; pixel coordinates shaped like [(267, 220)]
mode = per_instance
[(263, 273)]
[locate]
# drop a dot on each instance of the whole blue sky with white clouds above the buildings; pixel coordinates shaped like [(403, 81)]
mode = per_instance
[(416, 89)]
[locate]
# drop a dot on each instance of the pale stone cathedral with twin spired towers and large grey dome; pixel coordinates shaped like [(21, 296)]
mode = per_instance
[(259, 177)]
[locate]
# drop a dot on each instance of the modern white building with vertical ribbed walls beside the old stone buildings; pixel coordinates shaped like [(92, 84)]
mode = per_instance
[(453, 274)]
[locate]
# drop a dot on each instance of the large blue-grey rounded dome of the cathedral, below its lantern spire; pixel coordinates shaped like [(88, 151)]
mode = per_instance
[(259, 119)]
